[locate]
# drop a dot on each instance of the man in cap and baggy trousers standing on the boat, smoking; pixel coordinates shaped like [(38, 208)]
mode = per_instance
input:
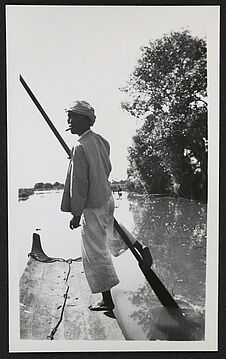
[(87, 191)]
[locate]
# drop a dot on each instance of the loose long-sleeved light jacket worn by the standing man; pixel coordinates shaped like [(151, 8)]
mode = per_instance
[(87, 184)]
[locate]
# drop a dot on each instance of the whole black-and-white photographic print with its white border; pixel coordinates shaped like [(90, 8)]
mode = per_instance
[(113, 177)]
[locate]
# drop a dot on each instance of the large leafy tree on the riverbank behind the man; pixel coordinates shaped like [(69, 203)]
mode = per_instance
[(168, 89)]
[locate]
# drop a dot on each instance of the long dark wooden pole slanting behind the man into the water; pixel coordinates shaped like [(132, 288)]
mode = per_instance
[(161, 292)]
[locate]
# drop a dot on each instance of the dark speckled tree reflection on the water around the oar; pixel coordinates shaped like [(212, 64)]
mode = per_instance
[(175, 231)]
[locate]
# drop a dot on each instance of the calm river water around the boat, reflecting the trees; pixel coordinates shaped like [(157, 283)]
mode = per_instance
[(173, 228)]
